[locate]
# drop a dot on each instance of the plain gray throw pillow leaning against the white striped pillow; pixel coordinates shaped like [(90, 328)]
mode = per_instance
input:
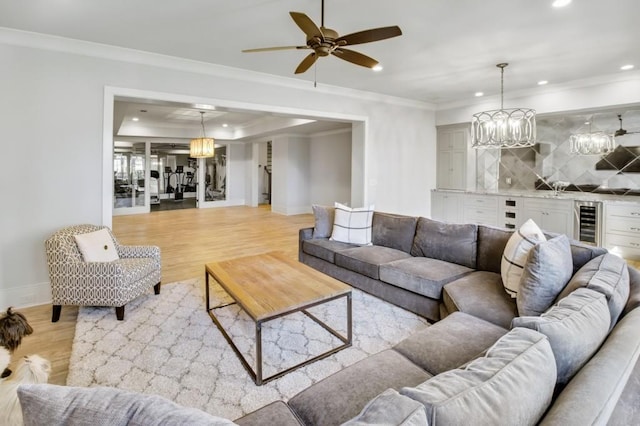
[(546, 273)]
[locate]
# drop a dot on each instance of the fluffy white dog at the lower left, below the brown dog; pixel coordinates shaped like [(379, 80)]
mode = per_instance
[(31, 369)]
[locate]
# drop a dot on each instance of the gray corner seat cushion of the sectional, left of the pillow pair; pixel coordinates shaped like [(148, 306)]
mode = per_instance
[(482, 295)]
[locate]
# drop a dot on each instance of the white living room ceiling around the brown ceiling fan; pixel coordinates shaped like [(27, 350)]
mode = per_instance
[(447, 52)]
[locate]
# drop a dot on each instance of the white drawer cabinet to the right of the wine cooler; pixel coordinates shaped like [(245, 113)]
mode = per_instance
[(622, 229)]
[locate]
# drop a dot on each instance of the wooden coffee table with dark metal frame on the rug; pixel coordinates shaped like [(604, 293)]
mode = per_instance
[(269, 286)]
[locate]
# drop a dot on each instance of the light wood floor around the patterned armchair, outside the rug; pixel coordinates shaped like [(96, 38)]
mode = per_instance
[(187, 239)]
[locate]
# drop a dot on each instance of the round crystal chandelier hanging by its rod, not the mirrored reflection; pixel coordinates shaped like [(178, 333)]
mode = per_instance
[(504, 128)]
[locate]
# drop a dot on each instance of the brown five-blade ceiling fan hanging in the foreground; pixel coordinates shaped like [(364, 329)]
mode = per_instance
[(325, 41)]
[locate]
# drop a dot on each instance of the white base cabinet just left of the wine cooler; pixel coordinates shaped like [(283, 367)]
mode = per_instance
[(551, 215)]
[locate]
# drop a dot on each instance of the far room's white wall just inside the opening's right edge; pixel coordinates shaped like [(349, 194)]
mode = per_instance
[(330, 168)]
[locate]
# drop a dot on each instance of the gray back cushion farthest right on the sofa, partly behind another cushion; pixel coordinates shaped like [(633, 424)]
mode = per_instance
[(607, 274)]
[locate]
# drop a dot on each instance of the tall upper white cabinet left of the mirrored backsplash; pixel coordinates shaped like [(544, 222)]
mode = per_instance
[(451, 161)]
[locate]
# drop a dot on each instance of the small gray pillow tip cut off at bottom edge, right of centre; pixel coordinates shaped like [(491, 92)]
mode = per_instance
[(390, 409)]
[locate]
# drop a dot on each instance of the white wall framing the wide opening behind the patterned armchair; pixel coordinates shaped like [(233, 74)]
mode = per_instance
[(52, 111)]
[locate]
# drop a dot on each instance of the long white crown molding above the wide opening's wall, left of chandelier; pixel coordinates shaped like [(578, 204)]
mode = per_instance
[(34, 40)]
